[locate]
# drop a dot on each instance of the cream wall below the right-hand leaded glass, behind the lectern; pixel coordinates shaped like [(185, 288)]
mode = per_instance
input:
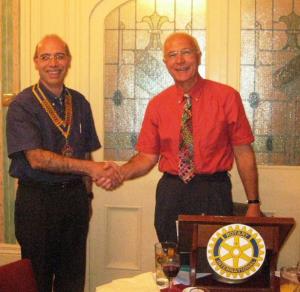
[(279, 191)]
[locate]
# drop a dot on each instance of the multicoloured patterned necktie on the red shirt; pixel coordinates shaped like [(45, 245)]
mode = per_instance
[(186, 146)]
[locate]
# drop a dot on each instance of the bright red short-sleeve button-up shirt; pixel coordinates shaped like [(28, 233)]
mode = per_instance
[(219, 123)]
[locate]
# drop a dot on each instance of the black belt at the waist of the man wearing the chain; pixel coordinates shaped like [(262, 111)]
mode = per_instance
[(51, 187)]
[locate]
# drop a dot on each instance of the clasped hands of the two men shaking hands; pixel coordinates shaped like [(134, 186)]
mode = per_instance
[(107, 175)]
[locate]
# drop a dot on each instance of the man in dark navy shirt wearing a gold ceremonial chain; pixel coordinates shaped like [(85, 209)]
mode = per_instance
[(50, 137)]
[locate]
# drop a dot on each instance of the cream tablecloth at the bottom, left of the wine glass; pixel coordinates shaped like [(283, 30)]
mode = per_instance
[(141, 283)]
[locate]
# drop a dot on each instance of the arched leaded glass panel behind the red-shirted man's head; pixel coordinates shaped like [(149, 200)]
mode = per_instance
[(134, 70)]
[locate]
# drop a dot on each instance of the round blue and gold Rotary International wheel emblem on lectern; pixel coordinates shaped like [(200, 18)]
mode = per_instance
[(236, 252)]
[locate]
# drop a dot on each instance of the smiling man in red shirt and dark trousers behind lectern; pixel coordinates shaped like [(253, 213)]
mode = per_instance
[(221, 133)]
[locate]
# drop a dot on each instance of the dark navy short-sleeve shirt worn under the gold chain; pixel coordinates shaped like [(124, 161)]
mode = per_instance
[(30, 127)]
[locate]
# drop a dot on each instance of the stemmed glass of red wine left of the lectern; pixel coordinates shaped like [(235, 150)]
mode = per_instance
[(170, 261)]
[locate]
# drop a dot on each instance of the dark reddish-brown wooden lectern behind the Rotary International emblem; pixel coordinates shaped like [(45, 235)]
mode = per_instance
[(196, 230)]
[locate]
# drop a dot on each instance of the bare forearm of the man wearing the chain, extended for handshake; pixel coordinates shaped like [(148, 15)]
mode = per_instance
[(52, 162)]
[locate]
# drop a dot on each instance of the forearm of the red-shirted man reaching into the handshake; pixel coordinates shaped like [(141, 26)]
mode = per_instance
[(138, 165)]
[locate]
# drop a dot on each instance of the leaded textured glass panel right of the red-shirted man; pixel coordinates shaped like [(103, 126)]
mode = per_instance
[(270, 77)]
